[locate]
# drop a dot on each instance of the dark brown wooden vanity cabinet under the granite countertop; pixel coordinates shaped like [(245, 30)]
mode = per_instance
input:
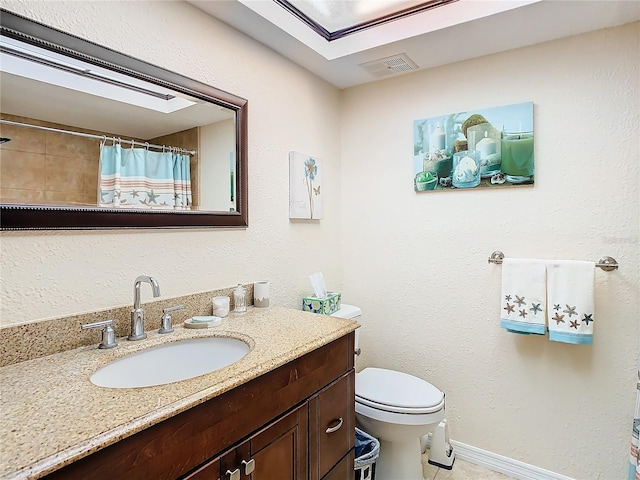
[(279, 420)]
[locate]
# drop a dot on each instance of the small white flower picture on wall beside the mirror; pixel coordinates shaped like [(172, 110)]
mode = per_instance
[(305, 179)]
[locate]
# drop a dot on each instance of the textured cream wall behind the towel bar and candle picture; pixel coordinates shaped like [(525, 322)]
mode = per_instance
[(417, 263)]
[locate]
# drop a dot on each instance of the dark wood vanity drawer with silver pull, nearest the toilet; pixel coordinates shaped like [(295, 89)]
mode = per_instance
[(332, 424)]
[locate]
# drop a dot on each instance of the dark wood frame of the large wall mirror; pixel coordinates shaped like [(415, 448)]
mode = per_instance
[(45, 217)]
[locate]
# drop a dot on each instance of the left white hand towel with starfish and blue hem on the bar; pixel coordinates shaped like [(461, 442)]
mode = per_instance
[(523, 296)]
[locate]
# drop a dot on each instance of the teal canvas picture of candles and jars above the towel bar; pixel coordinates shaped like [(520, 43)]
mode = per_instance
[(488, 147)]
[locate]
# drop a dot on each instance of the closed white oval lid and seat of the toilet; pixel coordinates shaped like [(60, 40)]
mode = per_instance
[(397, 392)]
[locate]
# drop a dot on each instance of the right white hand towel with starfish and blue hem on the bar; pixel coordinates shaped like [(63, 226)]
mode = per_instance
[(571, 305)]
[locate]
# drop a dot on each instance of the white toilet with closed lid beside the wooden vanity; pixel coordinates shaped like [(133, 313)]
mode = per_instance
[(398, 409)]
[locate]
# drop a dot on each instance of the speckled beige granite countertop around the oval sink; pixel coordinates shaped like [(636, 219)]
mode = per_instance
[(52, 415)]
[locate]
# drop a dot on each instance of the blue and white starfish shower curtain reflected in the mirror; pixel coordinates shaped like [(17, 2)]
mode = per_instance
[(139, 178)]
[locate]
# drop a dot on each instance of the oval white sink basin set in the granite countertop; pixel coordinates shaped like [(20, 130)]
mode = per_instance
[(170, 362)]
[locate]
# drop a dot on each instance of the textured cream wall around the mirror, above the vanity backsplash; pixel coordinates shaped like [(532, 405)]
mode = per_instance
[(49, 274)]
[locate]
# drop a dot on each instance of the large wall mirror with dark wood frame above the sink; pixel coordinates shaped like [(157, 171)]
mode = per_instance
[(94, 139)]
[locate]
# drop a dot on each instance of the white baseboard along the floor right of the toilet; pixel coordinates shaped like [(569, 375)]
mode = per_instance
[(501, 464)]
